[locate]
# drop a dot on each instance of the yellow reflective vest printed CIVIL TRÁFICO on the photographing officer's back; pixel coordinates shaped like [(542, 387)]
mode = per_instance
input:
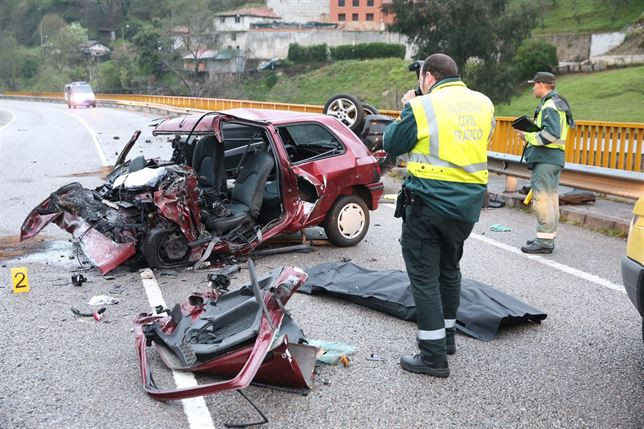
[(454, 127)]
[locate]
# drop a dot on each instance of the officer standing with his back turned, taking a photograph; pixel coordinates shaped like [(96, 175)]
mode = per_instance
[(445, 133)]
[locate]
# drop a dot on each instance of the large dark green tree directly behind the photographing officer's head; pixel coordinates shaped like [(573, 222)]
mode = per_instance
[(484, 30)]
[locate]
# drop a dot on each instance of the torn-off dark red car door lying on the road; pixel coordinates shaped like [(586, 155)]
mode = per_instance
[(246, 335)]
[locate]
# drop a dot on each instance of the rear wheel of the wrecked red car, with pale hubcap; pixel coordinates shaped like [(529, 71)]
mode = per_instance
[(347, 222)]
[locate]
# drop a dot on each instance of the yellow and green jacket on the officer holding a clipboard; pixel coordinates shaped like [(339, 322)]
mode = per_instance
[(547, 146)]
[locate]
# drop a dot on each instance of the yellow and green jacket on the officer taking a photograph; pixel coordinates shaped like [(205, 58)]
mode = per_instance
[(445, 135)]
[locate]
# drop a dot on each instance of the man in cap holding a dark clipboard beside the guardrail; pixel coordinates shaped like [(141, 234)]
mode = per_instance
[(545, 156)]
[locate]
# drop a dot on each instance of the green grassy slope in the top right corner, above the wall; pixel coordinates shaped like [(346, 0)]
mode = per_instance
[(589, 16)]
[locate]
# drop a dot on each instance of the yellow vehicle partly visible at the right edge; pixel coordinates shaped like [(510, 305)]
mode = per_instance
[(633, 261)]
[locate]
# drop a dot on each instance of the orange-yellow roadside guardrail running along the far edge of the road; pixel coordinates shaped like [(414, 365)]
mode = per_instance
[(601, 156)]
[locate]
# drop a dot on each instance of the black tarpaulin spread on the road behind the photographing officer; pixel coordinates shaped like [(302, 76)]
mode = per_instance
[(482, 311)]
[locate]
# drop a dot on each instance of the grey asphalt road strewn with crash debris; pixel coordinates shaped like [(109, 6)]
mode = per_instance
[(582, 367)]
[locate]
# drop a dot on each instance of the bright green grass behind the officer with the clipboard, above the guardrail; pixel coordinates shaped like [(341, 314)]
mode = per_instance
[(614, 95)]
